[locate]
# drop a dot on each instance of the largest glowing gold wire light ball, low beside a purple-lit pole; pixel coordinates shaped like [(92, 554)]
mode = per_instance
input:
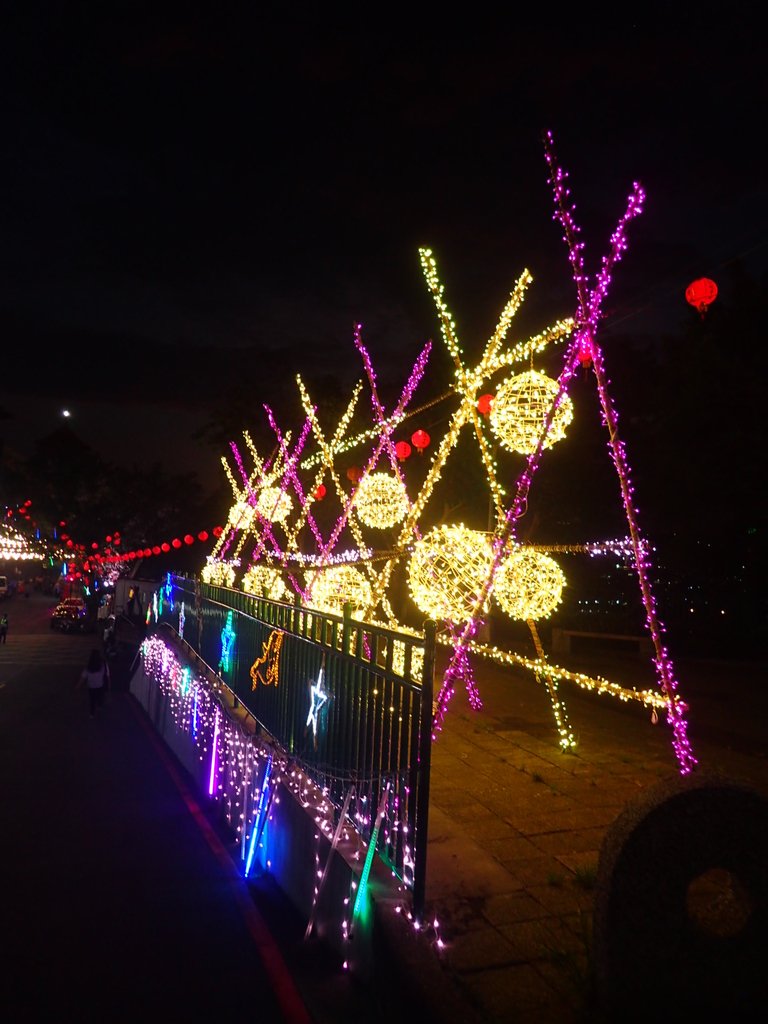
[(447, 572)]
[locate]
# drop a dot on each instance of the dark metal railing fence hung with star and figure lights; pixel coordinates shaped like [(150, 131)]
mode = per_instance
[(350, 703)]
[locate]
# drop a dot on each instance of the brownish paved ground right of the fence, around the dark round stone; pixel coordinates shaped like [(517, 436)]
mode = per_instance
[(517, 826)]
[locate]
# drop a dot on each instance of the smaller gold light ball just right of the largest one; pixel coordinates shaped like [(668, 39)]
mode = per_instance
[(529, 585)]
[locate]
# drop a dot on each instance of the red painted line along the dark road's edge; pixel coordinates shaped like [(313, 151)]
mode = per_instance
[(289, 997)]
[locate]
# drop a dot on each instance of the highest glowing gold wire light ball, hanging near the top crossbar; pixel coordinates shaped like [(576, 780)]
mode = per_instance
[(521, 409)]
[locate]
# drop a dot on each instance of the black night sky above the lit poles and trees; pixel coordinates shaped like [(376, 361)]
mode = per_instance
[(181, 186)]
